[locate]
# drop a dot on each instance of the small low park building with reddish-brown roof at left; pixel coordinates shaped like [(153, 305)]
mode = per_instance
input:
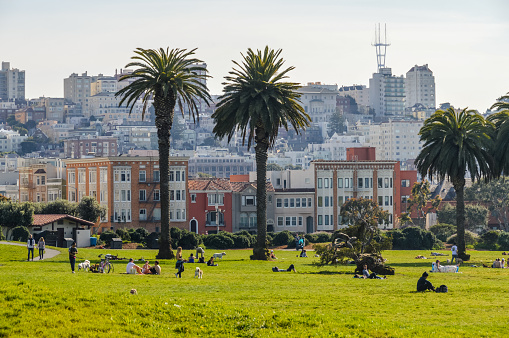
[(57, 227)]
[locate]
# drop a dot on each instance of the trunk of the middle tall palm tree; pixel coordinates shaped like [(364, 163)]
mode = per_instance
[(260, 250)]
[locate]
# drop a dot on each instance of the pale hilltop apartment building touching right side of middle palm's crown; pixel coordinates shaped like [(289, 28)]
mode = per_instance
[(318, 101)]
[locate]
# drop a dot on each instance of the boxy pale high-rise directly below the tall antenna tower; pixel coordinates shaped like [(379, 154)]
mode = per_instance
[(387, 93)]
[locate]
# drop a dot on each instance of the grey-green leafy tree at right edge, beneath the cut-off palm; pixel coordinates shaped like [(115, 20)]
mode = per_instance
[(495, 195)]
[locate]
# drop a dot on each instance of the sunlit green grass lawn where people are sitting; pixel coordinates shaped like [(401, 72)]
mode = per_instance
[(243, 298)]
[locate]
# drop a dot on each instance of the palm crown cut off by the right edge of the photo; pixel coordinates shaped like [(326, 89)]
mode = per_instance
[(501, 146)]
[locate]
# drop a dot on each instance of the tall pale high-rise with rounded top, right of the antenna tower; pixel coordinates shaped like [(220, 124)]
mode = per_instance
[(420, 87)]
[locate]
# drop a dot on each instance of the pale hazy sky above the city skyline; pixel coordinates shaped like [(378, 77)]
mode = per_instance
[(464, 43)]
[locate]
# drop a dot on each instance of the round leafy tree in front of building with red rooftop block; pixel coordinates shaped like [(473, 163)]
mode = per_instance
[(363, 216)]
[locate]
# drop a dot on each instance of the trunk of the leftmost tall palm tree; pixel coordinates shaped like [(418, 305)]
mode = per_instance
[(164, 119)]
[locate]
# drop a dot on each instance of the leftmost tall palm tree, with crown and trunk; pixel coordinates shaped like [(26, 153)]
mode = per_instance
[(169, 77)]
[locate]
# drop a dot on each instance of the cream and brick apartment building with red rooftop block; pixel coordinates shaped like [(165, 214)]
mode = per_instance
[(361, 175)]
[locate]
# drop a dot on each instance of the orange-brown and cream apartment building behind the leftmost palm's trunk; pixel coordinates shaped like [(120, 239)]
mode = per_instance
[(129, 186)]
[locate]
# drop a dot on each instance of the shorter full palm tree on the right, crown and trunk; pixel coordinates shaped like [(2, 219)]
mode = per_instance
[(456, 142)]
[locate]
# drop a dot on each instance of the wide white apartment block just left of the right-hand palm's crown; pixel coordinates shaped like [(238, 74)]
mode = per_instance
[(396, 140)]
